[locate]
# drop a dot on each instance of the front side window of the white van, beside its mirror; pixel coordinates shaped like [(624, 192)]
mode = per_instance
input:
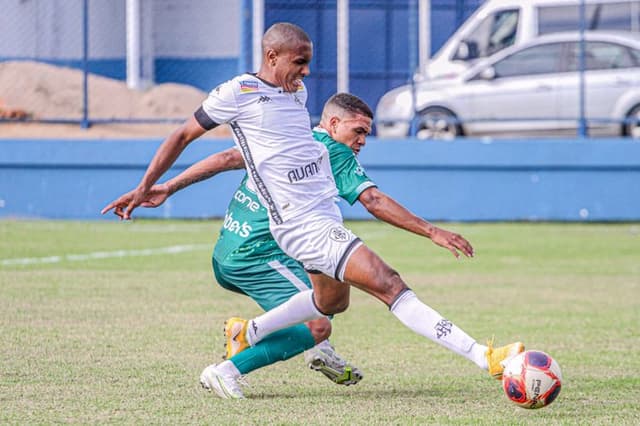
[(494, 33)]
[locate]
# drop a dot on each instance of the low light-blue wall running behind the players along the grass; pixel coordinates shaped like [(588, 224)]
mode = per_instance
[(465, 180)]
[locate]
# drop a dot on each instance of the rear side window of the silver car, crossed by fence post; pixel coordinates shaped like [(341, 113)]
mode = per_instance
[(600, 56)]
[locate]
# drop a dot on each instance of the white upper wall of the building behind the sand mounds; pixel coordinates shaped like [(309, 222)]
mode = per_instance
[(52, 29)]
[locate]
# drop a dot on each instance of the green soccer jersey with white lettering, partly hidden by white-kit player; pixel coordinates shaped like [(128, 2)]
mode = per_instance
[(245, 234)]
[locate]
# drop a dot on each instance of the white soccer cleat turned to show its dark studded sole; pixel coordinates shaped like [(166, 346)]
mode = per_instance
[(323, 358)]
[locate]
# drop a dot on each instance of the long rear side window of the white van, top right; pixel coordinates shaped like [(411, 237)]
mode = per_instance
[(605, 16)]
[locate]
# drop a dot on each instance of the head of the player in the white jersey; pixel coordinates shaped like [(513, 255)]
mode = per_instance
[(286, 53)]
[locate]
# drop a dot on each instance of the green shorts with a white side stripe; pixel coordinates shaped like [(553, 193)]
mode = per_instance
[(269, 281)]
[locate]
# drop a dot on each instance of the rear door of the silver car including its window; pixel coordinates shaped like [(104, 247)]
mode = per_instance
[(610, 72)]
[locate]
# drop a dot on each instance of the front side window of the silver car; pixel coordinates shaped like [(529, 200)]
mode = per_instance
[(541, 59)]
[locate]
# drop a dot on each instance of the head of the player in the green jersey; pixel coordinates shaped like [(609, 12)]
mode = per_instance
[(348, 120)]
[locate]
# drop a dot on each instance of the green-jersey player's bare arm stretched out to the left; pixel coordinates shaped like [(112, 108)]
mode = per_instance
[(229, 159)]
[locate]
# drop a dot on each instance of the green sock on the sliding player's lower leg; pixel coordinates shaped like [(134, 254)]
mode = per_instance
[(278, 346)]
